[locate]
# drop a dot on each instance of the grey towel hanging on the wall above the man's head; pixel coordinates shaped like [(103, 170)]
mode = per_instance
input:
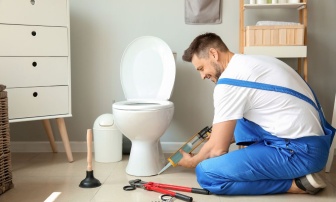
[(203, 11)]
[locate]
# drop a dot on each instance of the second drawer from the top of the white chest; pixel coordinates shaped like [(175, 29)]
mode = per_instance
[(18, 40)]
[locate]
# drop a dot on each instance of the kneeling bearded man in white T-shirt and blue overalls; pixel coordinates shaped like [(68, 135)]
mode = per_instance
[(261, 102)]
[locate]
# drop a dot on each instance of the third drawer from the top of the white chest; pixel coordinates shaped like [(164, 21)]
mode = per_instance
[(34, 71)]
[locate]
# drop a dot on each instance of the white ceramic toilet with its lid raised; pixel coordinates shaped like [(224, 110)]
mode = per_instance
[(147, 74)]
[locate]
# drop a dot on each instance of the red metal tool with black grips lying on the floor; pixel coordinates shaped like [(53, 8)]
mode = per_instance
[(164, 189)]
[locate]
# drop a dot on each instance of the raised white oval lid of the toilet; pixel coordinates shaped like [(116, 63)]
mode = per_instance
[(147, 69)]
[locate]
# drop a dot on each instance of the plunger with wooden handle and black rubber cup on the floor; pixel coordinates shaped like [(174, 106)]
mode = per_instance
[(90, 181)]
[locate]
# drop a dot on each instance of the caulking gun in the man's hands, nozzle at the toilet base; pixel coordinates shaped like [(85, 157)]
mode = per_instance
[(188, 147)]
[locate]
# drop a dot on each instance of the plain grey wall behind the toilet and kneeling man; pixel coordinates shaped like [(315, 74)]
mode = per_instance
[(101, 30)]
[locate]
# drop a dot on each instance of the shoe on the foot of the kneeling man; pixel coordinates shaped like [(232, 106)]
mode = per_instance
[(311, 183)]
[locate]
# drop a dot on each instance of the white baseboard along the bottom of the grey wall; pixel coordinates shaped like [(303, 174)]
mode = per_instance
[(17, 146)]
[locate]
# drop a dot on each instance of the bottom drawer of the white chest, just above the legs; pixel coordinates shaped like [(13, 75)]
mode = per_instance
[(37, 102)]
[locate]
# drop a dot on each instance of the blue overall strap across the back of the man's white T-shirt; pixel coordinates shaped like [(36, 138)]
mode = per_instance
[(327, 128)]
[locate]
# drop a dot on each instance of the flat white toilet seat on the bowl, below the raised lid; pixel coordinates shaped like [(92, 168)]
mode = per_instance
[(142, 105)]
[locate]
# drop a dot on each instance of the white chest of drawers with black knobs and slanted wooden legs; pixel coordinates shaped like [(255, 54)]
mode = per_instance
[(35, 61)]
